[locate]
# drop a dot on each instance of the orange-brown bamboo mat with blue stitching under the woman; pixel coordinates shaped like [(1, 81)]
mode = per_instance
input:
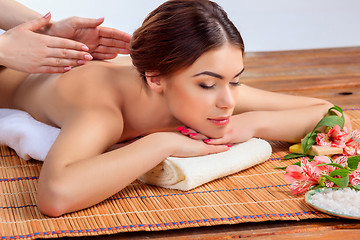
[(254, 195)]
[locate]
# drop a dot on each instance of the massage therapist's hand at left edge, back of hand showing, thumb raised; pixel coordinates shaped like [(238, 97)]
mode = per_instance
[(22, 49)]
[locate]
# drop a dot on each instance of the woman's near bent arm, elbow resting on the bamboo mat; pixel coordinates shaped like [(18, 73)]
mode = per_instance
[(77, 173)]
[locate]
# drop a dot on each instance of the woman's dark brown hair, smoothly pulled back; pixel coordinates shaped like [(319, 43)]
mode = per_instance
[(178, 32)]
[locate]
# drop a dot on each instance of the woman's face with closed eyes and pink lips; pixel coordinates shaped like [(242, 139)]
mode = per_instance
[(203, 96)]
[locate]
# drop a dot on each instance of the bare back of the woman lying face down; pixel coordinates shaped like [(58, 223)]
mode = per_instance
[(54, 98)]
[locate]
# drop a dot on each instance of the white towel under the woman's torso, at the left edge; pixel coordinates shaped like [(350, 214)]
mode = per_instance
[(27, 136)]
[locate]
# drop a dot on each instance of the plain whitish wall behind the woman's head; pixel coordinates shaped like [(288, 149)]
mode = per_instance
[(265, 25)]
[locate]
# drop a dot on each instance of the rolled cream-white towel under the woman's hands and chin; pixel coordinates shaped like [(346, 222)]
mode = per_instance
[(187, 173)]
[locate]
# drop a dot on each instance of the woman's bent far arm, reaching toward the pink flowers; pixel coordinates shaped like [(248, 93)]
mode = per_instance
[(272, 116)]
